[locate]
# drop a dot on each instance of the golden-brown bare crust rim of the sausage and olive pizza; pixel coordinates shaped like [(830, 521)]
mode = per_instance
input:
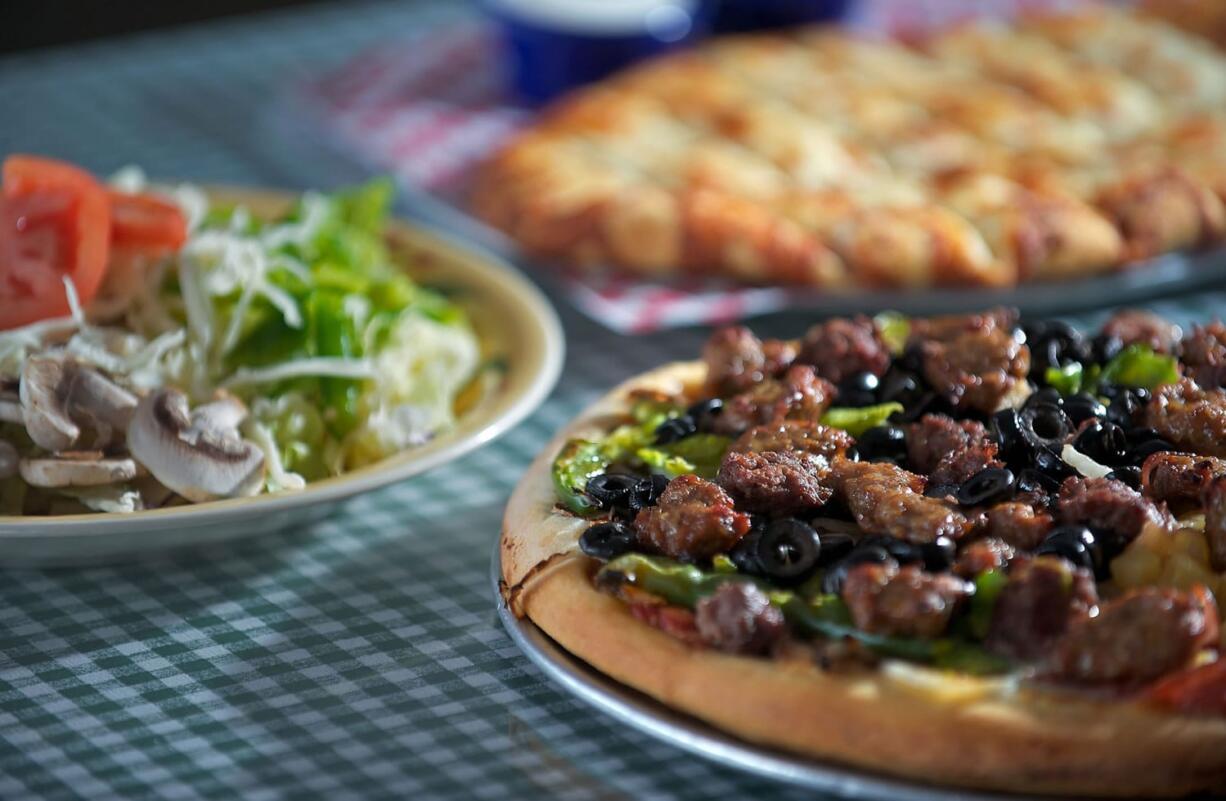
[(903, 721)]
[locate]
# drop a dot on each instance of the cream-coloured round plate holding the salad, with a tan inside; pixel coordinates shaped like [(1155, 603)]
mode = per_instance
[(520, 339)]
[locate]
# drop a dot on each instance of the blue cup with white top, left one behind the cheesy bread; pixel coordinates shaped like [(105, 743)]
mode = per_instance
[(555, 46)]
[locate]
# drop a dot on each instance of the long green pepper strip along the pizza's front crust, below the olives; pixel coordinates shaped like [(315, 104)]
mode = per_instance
[(823, 616)]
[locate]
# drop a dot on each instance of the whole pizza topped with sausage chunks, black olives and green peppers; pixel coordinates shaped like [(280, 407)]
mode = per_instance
[(959, 550)]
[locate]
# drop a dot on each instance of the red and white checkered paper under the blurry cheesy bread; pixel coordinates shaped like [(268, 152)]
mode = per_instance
[(430, 110)]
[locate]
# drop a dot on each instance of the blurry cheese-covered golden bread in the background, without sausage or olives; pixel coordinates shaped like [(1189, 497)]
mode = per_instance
[(985, 155)]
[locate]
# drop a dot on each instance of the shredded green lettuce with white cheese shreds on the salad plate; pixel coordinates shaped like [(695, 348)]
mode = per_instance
[(343, 359)]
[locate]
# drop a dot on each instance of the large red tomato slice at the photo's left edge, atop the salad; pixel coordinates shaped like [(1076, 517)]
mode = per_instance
[(55, 223)]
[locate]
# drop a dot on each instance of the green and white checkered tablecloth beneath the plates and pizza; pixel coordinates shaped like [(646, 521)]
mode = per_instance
[(361, 658)]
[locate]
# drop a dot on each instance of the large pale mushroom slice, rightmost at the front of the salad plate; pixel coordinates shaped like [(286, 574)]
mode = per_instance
[(200, 457)]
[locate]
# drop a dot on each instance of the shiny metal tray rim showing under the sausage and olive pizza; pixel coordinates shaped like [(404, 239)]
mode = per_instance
[(690, 734)]
